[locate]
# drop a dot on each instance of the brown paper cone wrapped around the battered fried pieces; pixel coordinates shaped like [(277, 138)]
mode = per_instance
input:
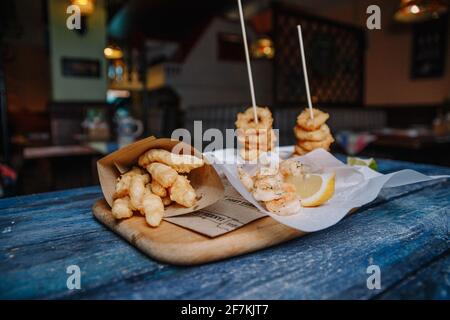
[(204, 180)]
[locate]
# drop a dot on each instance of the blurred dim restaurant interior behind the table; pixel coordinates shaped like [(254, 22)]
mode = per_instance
[(139, 68)]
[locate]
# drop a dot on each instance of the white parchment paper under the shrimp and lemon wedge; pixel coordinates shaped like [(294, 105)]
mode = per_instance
[(355, 186)]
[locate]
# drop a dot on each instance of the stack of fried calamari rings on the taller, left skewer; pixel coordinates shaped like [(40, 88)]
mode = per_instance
[(255, 137)]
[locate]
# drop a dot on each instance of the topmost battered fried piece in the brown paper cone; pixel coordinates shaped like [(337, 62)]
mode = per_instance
[(182, 163)]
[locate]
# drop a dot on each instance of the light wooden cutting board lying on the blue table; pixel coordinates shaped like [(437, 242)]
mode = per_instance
[(172, 244)]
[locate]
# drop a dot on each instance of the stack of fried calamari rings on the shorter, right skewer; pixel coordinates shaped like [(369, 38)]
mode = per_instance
[(312, 133)]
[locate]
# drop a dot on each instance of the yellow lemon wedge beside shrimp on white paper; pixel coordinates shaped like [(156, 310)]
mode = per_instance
[(314, 189)]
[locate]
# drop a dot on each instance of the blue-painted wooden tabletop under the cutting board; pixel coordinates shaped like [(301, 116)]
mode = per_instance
[(405, 232)]
